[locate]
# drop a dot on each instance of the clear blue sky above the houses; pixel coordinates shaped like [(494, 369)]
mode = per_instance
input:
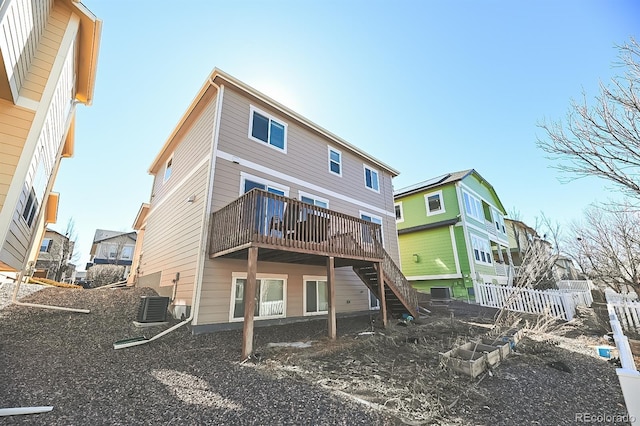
[(428, 87)]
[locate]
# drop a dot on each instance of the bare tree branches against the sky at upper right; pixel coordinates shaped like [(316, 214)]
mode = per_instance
[(603, 140)]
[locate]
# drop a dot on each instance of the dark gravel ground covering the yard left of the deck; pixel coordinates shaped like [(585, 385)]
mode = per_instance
[(66, 360)]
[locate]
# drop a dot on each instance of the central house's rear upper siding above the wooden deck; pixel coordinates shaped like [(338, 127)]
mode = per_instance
[(346, 194)]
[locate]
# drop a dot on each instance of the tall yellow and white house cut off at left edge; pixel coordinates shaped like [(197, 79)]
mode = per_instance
[(48, 56)]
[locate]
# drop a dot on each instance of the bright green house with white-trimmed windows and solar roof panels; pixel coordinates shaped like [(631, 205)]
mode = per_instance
[(452, 234)]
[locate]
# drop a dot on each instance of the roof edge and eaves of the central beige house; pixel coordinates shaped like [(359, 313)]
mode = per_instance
[(218, 77)]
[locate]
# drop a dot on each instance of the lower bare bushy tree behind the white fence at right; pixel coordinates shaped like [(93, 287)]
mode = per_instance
[(606, 247)]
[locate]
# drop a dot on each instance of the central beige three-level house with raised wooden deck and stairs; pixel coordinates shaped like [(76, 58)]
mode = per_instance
[(257, 213)]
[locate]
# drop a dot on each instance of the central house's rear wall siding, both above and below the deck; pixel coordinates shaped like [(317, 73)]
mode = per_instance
[(306, 161)]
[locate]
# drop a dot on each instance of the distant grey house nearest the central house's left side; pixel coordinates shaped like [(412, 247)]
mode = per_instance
[(113, 248)]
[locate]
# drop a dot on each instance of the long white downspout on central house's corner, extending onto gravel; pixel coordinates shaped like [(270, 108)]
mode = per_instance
[(202, 252)]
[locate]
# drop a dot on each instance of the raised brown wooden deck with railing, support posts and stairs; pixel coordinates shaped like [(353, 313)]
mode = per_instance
[(261, 226)]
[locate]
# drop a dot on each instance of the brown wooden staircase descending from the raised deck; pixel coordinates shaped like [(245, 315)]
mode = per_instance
[(400, 297)]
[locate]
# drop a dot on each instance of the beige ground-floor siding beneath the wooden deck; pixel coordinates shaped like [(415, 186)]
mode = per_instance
[(216, 292)]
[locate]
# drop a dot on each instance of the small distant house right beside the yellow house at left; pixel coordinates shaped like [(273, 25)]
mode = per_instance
[(53, 262)]
